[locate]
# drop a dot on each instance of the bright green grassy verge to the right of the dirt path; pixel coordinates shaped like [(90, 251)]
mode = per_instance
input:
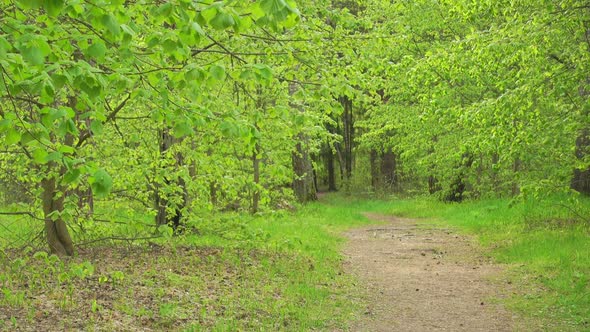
[(548, 251)]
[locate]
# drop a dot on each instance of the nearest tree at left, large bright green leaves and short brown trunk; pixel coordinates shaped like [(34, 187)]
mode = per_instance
[(70, 69)]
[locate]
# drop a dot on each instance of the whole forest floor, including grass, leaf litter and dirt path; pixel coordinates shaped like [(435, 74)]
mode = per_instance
[(475, 266)]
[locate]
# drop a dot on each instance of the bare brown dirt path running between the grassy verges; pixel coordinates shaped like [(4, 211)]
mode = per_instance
[(423, 278)]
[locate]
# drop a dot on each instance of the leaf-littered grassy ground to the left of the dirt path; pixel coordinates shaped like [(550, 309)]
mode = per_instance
[(237, 272)]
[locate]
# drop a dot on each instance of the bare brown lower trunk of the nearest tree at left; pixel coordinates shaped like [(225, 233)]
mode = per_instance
[(56, 230)]
